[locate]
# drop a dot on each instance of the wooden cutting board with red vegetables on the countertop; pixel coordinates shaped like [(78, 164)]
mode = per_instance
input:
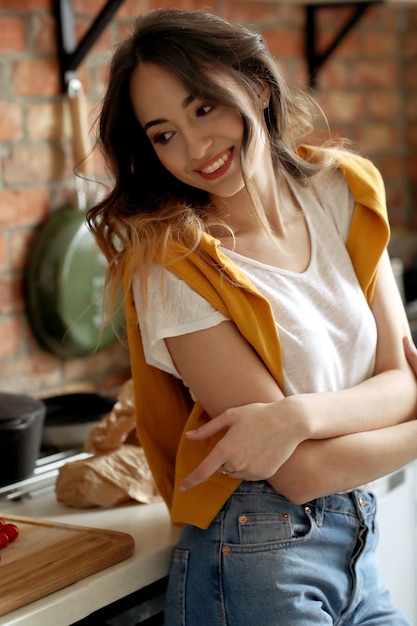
[(48, 556)]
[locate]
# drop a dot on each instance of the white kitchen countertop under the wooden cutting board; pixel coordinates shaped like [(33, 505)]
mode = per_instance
[(154, 537)]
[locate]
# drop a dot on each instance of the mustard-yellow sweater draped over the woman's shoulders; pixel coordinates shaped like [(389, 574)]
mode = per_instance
[(164, 409)]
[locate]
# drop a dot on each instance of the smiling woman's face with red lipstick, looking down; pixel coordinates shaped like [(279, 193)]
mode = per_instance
[(199, 143)]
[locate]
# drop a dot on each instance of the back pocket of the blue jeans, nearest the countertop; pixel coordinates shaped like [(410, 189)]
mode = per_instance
[(175, 595)]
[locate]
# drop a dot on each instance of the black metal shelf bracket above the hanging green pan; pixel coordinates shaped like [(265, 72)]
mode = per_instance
[(71, 53)]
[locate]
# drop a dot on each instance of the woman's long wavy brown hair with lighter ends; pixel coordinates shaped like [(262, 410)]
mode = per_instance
[(147, 207)]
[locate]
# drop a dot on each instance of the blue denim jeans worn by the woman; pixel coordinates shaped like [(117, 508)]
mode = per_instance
[(267, 562)]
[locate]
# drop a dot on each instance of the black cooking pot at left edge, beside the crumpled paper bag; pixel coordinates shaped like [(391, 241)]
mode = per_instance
[(21, 423)]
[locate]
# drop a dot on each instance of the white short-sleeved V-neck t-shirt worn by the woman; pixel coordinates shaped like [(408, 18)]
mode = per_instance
[(327, 331)]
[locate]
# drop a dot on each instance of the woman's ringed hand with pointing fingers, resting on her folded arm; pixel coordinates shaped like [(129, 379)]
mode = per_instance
[(255, 443)]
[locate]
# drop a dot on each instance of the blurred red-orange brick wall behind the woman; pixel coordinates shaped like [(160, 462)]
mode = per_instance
[(368, 89)]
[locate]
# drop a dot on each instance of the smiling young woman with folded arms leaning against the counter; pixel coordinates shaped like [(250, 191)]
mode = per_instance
[(264, 324)]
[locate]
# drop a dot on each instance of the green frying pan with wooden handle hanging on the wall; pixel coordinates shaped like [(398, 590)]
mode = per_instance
[(66, 270)]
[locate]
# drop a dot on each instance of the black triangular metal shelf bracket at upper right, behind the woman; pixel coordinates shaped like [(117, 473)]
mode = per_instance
[(315, 59)]
